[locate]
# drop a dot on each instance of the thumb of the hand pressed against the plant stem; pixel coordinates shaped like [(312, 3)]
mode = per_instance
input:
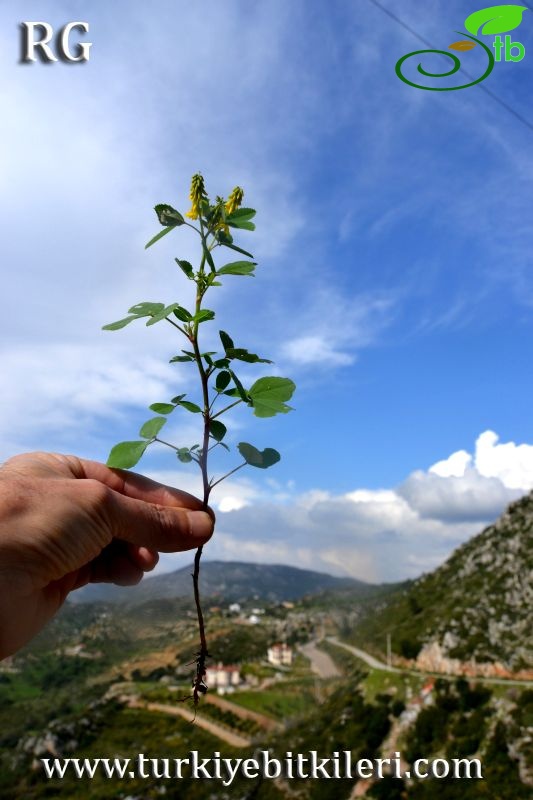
[(168, 529)]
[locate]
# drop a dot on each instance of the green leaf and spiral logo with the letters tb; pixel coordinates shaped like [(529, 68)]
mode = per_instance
[(491, 21)]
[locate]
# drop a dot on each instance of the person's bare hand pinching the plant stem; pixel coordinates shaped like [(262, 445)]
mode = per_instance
[(66, 522)]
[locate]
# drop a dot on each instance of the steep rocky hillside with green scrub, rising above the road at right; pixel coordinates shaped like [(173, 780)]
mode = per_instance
[(477, 606)]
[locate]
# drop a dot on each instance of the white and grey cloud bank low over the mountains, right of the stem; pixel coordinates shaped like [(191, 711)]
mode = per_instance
[(372, 534)]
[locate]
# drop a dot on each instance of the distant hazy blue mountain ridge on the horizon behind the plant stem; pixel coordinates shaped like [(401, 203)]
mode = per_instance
[(229, 581)]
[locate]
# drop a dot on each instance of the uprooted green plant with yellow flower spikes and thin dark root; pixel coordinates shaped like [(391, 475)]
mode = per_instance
[(267, 396)]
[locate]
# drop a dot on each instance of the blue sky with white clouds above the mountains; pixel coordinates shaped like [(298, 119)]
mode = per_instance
[(394, 280)]
